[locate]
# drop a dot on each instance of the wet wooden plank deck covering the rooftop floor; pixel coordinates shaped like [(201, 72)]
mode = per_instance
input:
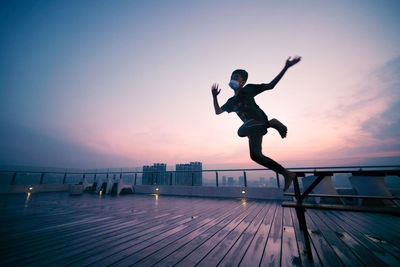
[(56, 229)]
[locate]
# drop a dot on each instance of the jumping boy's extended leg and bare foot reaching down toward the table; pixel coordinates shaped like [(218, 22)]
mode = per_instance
[(255, 142)]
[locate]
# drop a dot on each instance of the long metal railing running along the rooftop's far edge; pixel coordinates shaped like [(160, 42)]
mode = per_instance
[(166, 177)]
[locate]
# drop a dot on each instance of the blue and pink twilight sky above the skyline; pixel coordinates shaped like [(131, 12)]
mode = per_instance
[(94, 84)]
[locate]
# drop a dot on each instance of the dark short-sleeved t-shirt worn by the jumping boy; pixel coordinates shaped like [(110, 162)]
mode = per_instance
[(244, 105)]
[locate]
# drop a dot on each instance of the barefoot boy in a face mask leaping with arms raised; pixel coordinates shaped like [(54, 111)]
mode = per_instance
[(255, 121)]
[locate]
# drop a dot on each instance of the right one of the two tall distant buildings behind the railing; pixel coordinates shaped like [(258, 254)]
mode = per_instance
[(186, 172)]
